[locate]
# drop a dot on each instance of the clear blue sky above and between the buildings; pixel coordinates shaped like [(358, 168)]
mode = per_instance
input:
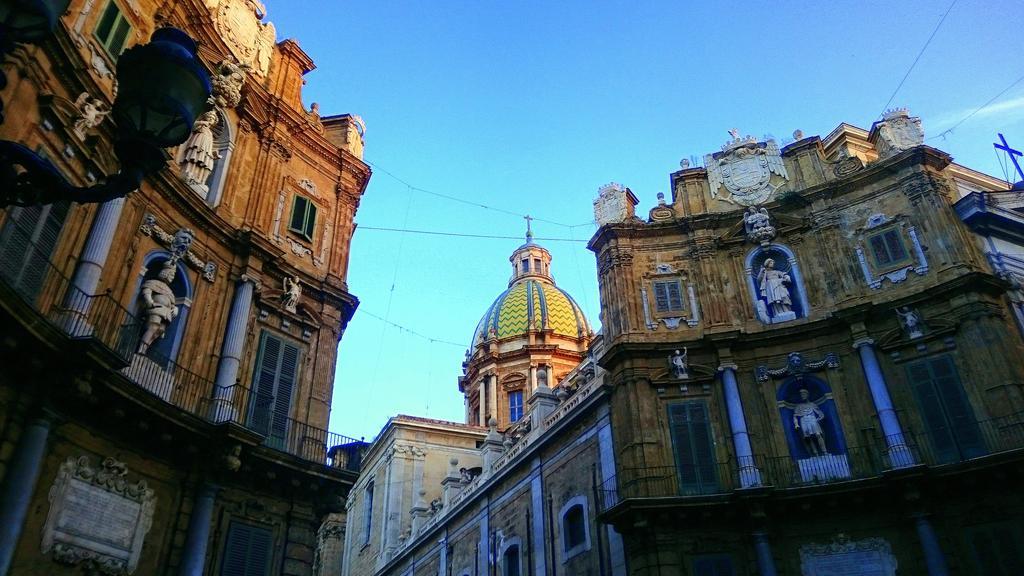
[(530, 106)]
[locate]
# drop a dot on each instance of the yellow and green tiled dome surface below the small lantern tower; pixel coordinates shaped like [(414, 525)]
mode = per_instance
[(532, 303)]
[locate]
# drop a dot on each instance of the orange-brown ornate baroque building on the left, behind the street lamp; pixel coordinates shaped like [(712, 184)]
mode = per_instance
[(168, 358)]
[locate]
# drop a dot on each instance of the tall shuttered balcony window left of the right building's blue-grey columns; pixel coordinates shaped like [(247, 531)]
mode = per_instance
[(694, 447)]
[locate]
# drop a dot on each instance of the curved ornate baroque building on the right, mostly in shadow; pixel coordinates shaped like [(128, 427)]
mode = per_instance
[(816, 362)]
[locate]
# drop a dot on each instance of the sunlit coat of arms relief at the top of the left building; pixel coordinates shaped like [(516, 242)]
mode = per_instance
[(250, 39)]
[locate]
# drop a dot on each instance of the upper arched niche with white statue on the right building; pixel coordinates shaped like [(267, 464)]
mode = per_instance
[(777, 284)]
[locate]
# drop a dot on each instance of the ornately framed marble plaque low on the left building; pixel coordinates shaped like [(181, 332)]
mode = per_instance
[(97, 517)]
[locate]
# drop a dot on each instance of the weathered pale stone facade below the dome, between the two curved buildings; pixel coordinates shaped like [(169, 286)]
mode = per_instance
[(524, 505)]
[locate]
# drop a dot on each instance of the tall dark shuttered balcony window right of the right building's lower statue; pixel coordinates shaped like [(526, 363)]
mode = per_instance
[(946, 410)]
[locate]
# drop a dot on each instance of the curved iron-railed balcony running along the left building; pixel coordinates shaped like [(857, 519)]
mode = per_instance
[(98, 325)]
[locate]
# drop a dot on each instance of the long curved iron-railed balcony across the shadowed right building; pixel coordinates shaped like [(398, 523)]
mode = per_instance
[(937, 451)]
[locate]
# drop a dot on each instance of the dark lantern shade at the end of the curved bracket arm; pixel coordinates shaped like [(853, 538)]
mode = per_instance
[(162, 89)]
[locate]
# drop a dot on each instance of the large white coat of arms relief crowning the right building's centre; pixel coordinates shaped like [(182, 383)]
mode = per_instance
[(745, 169)]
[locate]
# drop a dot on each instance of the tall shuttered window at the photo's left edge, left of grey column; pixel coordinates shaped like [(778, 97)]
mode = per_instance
[(27, 241)]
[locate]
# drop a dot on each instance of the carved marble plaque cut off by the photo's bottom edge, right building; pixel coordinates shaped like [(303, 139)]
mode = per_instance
[(872, 557)]
